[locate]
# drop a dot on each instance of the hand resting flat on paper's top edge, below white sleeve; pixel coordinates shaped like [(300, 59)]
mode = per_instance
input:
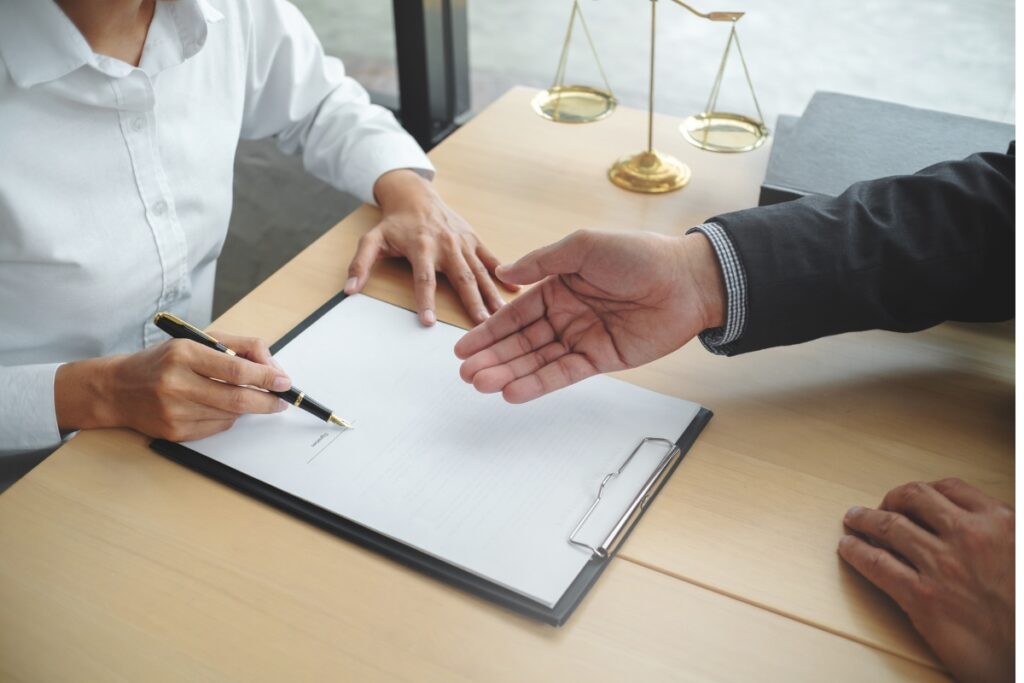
[(417, 225)]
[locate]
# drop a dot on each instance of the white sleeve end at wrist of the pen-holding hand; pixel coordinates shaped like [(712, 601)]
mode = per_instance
[(28, 413)]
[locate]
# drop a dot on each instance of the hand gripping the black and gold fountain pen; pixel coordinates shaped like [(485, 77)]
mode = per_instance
[(166, 392)]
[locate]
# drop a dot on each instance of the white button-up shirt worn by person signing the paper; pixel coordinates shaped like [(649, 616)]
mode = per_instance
[(116, 181)]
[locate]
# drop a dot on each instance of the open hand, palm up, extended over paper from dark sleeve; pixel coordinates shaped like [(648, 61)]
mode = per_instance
[(607, 302)]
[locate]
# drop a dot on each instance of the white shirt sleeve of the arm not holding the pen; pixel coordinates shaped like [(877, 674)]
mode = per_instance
[(304, 99)]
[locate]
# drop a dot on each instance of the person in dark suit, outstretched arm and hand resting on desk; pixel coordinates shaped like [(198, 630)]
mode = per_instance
[(902, 253)]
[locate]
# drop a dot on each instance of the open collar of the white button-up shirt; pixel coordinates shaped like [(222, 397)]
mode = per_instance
[(39, 44)]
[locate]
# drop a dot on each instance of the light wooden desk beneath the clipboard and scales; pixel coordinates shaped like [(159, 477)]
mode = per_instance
[(119, 565)]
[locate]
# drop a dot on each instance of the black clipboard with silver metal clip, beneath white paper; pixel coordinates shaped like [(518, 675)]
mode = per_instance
[(602, 554)]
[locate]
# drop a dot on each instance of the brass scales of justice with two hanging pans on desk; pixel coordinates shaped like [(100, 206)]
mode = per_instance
[(651, 172)]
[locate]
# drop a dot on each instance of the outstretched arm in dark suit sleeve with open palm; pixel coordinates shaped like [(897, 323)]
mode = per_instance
[(902, 253)]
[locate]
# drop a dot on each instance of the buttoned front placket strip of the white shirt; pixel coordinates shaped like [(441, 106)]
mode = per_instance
[(138, 120)]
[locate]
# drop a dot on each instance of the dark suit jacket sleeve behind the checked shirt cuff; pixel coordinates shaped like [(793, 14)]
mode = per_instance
[(902, 253)]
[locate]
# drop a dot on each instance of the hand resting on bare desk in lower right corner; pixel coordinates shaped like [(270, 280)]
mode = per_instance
[(945, 552)]
